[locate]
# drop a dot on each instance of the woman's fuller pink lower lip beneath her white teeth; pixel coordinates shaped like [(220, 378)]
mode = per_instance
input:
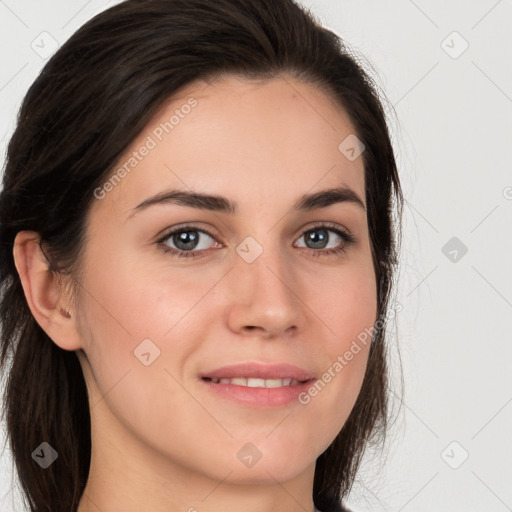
[(259, 397)]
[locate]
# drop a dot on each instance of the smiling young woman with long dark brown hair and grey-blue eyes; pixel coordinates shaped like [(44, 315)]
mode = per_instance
[(198, 246)]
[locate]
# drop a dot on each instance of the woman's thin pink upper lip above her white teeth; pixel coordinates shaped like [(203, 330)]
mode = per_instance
[(259, 371)]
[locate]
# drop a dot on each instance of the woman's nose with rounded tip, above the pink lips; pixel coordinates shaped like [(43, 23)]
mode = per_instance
[(263, 297)]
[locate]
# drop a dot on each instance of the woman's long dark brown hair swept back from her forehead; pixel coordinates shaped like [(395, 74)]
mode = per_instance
[(92, 98)]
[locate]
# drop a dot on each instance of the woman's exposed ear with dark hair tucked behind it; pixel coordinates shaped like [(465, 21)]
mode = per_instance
[(43, 291)]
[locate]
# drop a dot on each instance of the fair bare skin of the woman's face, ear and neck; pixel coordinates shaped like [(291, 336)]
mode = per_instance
[(160, 440)]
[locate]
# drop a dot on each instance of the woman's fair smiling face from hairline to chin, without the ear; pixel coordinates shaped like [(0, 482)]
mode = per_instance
[(260, 285)]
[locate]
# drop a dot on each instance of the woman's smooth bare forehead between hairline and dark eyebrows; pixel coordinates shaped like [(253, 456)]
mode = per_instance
[(260, 141)]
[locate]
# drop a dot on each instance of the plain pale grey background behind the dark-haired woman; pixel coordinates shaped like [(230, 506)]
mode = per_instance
[(445, 68)]
